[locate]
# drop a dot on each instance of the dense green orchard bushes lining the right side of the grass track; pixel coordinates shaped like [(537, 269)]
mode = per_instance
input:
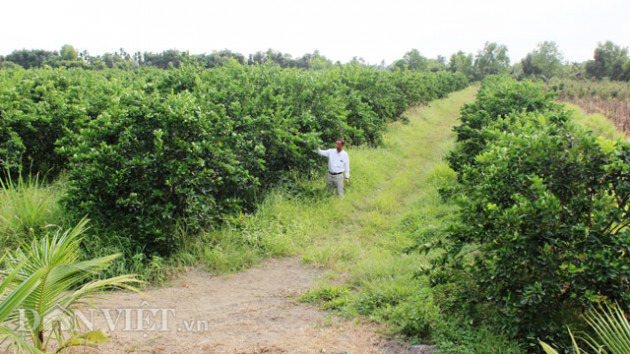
[(543, 225)]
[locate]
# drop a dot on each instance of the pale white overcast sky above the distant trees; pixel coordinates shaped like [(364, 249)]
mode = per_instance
[(339, 29)]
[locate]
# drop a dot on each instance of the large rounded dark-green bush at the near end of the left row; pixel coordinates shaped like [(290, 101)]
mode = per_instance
[(150, 163)]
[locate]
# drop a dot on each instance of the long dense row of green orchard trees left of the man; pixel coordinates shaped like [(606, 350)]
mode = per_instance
[(149, 152)]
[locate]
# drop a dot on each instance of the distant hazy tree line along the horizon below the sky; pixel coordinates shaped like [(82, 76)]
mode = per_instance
[(610, 61)]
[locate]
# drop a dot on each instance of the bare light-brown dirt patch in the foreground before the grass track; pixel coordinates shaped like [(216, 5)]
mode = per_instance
[(251, 312)]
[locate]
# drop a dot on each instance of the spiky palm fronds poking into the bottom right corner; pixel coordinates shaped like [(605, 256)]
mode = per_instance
[(612, 332)]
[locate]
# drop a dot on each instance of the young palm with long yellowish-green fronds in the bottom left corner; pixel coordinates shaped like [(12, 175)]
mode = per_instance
[(48, 282)]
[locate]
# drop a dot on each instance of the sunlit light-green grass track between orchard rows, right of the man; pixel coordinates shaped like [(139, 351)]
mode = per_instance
[(392, 181)]
